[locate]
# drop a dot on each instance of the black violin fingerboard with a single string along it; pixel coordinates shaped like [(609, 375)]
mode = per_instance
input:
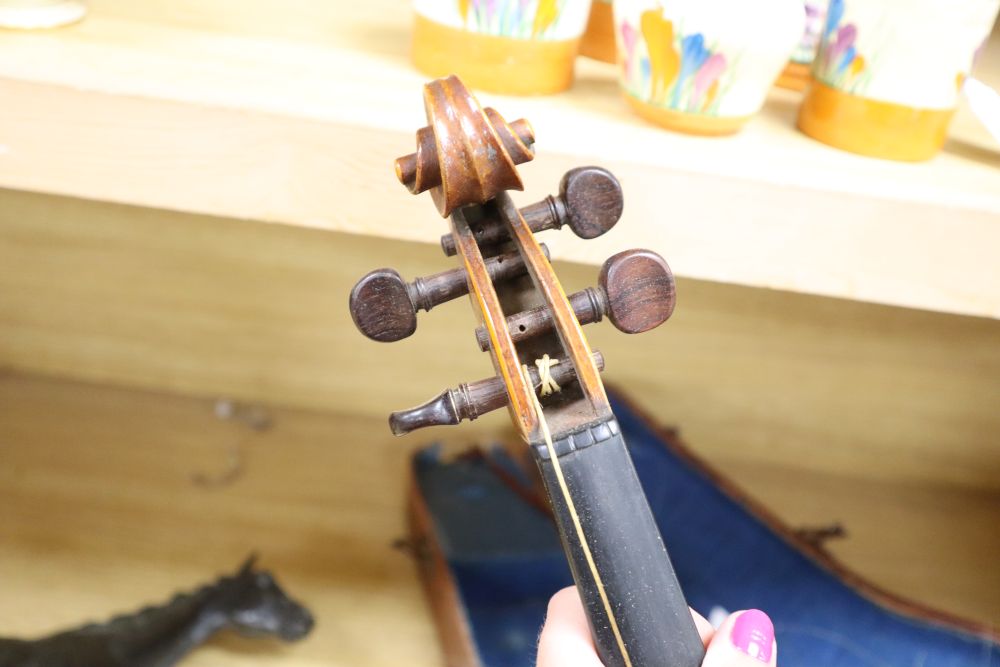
[(637, 611)]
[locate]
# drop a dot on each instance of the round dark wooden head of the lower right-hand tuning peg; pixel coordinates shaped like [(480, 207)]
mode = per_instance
[(640, 290)]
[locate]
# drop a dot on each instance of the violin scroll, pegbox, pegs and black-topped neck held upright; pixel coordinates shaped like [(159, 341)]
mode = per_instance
[(545, 371)]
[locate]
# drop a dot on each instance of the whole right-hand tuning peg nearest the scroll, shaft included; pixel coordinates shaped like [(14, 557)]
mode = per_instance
[(589, 201)]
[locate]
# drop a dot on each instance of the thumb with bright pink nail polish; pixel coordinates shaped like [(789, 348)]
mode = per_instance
[(745, 639)]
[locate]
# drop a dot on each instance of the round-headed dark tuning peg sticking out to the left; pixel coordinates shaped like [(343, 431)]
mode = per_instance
[(384, 306)]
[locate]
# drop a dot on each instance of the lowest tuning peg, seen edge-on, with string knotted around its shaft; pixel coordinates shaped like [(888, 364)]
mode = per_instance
[(469, 401)]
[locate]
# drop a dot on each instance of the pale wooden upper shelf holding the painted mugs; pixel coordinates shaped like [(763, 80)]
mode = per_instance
[(291, 112)]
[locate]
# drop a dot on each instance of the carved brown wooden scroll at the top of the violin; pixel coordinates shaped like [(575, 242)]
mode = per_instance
[(466, 155)]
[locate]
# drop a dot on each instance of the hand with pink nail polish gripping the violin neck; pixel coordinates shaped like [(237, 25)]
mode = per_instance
[(745, 638)]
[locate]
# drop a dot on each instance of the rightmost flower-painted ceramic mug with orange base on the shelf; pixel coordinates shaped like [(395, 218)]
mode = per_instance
[(888, 73)]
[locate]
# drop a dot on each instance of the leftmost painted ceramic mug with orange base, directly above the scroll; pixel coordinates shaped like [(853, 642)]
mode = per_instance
[(518, 47)]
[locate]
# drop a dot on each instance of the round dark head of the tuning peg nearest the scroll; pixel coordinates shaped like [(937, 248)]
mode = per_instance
[(593, 200)]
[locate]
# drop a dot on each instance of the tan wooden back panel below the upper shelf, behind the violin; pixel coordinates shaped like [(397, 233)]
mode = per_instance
[(211, 306)]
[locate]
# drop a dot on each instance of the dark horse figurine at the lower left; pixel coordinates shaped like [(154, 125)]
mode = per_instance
[(250, 602)]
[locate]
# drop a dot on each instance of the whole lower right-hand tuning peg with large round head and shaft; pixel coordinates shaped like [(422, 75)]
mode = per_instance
[(635, 291)]
